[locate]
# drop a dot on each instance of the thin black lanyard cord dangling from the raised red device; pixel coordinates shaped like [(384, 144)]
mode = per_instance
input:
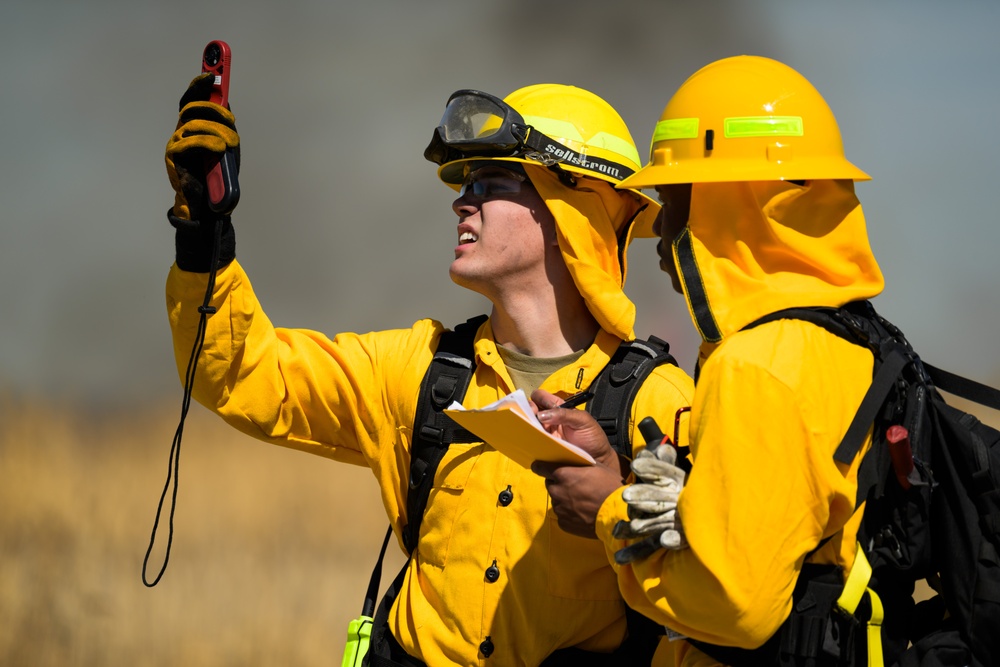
[(173, 465)]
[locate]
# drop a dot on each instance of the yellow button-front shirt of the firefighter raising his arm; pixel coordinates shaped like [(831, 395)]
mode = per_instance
[(353, 399)]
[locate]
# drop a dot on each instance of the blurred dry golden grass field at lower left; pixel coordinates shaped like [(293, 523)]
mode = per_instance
[(271, 555)]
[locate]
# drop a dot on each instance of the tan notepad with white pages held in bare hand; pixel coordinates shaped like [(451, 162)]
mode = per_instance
[(510, 426)]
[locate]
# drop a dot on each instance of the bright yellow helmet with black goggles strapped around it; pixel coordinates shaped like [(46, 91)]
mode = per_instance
[(544, 124)]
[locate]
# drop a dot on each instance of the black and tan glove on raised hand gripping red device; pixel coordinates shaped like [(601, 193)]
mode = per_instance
[(203, 129)]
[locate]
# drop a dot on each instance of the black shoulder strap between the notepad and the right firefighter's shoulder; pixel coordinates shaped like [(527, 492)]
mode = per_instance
[(617, 384)]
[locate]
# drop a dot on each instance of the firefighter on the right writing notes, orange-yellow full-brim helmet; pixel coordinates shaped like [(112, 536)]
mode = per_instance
[(759, 214)]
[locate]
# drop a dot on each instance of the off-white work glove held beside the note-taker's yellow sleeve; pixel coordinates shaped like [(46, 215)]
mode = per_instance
[(652, 506)]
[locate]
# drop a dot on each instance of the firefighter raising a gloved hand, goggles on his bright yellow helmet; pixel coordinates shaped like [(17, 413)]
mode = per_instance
[(541, 230)]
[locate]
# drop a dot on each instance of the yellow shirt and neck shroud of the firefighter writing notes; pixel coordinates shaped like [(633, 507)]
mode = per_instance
[(771, 406)]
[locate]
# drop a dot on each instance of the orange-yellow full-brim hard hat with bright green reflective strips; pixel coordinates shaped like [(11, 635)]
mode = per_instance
[(745, 118)]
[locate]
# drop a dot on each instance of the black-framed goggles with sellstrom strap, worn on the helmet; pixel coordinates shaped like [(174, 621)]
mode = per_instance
[(477, 124)]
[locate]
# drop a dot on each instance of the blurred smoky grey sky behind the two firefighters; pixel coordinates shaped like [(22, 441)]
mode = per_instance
[(344, 227)]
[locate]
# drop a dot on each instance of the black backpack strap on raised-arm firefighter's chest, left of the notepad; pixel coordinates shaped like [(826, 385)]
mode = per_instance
[(446, 380)]
